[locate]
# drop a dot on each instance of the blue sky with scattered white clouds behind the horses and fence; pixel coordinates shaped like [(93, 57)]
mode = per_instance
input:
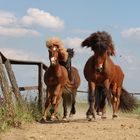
[(26, 25)]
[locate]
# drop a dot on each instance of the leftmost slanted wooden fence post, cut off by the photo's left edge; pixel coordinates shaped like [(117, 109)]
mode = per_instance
[(10, 111)]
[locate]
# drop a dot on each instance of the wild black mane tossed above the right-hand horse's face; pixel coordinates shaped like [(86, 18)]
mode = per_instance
[(100, 40)]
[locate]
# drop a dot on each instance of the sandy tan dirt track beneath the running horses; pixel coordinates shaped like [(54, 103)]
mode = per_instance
[(126, 127)]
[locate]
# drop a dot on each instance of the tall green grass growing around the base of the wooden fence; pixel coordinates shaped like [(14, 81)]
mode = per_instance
[(31, 114)]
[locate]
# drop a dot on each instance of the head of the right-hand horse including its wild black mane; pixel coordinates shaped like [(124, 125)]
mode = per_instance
[(102, 45)]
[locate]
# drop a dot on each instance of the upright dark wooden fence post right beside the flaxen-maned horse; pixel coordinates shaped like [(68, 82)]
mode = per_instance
[(40, 88)]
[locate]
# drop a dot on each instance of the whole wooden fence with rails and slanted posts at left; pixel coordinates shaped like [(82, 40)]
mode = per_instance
[(16, 89)]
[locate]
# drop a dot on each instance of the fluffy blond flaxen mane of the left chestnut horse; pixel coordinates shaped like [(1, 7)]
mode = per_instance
[(54, 41)]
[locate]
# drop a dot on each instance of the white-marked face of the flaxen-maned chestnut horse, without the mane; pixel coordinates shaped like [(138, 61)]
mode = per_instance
[(53, 55)]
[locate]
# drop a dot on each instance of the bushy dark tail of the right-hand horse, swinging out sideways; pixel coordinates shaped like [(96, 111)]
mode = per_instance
[(128, 102)]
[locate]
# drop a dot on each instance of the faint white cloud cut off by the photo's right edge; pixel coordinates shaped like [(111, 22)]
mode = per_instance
[(133, 33)]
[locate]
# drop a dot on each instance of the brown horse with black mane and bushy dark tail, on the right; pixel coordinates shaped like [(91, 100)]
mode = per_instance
[(105, 79)]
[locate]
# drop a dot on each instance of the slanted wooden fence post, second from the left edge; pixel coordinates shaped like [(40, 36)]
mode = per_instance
[(14, 83)]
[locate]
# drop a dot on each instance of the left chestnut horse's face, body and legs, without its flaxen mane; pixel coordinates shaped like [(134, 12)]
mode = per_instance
[(58, 85)]
